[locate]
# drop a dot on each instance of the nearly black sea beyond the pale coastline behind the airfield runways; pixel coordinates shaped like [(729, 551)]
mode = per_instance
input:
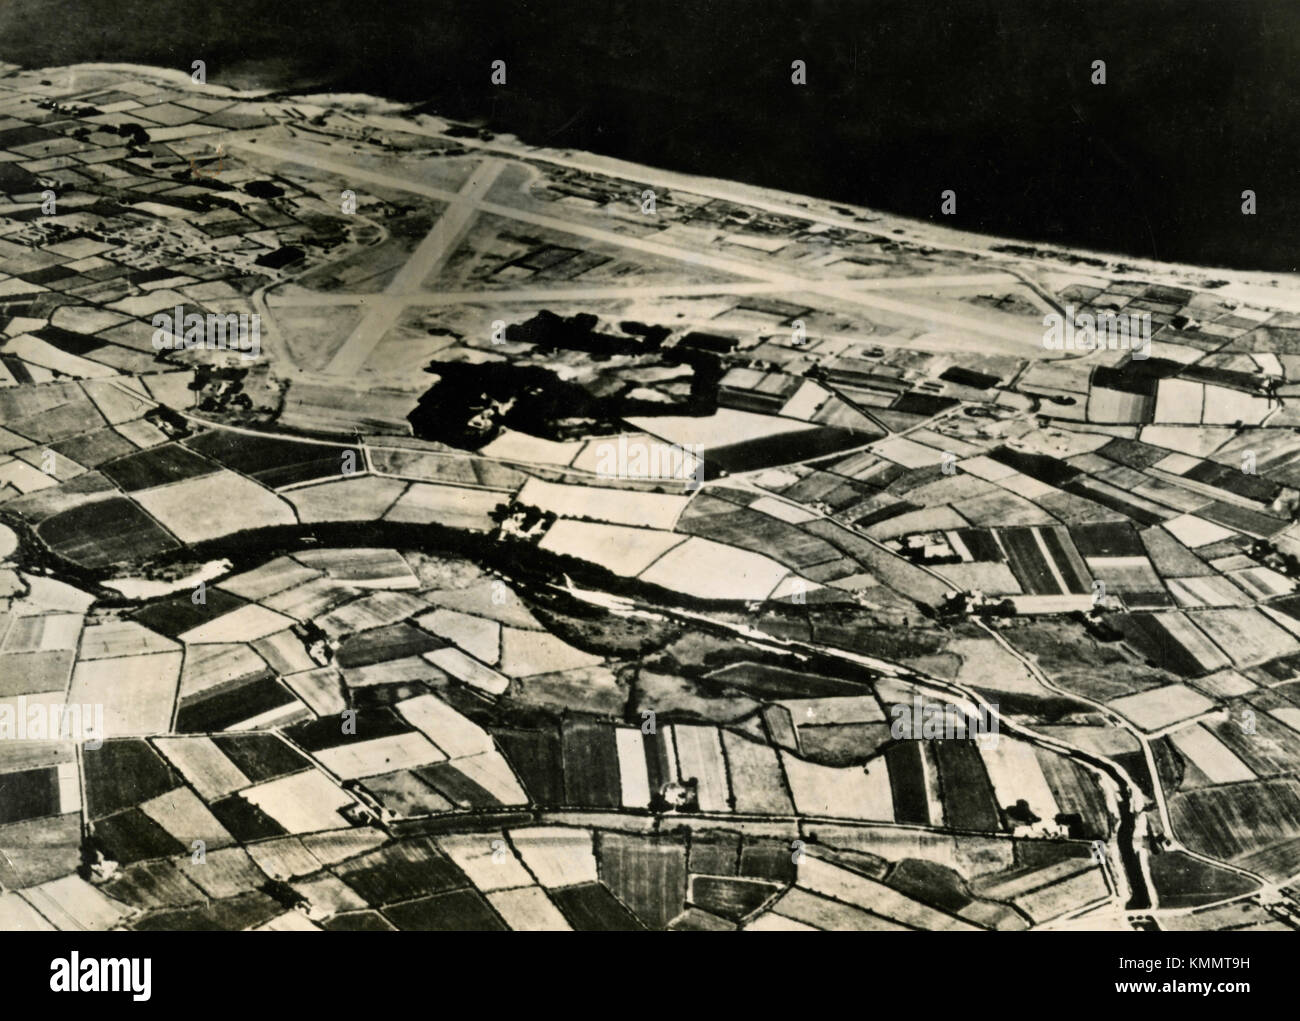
[(904, 99)]
